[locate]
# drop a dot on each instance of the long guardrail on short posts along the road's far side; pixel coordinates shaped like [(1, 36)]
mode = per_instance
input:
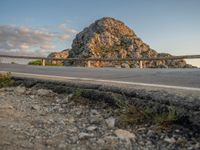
[(104, 59)]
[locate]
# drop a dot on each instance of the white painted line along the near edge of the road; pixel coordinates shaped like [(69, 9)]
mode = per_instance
[(104, 81)]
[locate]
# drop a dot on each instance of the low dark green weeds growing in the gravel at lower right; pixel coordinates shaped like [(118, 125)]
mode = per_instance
[(133, 115)]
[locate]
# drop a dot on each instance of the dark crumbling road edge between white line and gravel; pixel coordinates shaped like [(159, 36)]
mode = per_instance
[(159, 101)]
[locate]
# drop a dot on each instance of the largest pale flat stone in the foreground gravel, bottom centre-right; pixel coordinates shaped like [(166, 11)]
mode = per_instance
[(123, 134)]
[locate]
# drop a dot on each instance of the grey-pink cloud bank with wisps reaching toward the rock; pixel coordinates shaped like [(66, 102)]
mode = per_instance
[(22, 39)]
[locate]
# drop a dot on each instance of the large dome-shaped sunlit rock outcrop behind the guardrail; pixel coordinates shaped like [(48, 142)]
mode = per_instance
[(111, 38)]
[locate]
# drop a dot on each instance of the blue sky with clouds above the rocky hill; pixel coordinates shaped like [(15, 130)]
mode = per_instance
[(38, 27)]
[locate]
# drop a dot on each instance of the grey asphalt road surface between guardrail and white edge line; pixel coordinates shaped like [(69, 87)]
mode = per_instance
[(171, 77)]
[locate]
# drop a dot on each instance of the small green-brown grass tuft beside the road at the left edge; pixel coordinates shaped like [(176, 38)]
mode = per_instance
[(5, 80)]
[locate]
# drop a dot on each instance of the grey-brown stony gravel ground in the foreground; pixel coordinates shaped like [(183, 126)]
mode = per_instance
[(35, 118)]
